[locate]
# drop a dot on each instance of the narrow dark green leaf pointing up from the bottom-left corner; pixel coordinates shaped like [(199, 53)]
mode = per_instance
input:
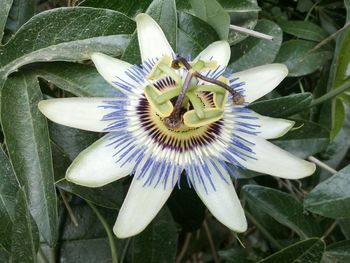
[(25, 236)]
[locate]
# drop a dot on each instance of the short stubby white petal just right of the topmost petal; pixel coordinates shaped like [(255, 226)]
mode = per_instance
[(218, 51)]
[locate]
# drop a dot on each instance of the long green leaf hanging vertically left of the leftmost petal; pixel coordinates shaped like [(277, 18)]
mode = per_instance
[(27, 141)]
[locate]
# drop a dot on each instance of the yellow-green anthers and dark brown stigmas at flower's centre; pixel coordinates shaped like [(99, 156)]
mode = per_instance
[(181, 104)]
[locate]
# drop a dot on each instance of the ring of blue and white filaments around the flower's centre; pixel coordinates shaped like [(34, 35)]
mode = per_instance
[(155, 170)]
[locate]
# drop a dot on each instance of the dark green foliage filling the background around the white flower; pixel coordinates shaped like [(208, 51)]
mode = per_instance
[(44, 49)]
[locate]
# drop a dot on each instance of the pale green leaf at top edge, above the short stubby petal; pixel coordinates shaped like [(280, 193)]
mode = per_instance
[(214, 14)]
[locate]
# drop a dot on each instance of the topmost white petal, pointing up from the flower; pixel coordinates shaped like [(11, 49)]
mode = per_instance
[(152, 41)]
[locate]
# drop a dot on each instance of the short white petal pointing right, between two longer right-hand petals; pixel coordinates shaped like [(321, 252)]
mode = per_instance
[(269, 128)]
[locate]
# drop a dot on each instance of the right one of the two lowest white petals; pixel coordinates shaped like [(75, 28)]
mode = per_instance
[(222, 202)]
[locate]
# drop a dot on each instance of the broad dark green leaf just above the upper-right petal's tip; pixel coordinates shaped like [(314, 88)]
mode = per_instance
[(301, 59)]
